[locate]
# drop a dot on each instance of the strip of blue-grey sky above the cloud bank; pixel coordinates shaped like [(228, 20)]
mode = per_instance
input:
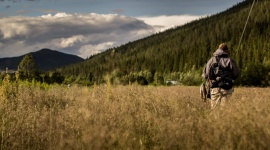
[(133, 8)]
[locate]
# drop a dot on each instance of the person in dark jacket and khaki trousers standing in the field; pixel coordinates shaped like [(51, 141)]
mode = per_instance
[(220, 72)]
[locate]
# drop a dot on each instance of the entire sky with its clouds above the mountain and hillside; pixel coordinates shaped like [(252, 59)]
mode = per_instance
[(86, 27)]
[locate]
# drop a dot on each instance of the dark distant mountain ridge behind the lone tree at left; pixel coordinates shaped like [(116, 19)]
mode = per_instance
[(46, 59)]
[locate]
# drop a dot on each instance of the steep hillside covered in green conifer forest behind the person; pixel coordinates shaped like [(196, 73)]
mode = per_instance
[(180, 54)]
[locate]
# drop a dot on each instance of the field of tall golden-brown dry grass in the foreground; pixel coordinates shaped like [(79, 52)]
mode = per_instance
[(130, 117)]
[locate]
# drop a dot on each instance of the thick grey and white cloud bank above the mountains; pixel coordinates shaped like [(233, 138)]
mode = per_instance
[(78, 34)]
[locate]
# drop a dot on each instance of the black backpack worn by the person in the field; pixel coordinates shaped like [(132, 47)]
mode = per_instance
[(220, 75)]
